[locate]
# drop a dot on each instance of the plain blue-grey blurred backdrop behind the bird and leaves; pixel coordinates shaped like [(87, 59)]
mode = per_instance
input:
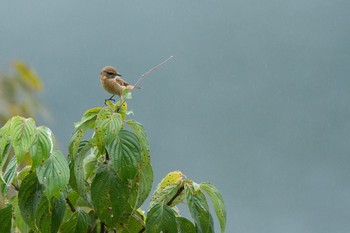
[(256, 99)]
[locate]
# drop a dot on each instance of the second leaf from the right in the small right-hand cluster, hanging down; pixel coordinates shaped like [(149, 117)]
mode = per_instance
[(199, 209)]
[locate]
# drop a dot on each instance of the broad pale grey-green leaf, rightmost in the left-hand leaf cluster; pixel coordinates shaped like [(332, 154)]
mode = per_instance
[(54, 174)]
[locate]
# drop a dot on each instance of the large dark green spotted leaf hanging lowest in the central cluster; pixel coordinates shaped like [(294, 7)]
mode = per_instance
[(109, 195)]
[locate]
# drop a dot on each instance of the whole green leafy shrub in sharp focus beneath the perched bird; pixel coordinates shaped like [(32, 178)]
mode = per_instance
[(101, 184)]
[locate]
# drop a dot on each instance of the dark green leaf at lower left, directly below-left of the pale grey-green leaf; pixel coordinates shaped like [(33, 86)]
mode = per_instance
[(29, 195)]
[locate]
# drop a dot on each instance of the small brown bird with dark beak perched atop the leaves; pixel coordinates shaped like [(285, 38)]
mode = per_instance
[(113, 83)]
